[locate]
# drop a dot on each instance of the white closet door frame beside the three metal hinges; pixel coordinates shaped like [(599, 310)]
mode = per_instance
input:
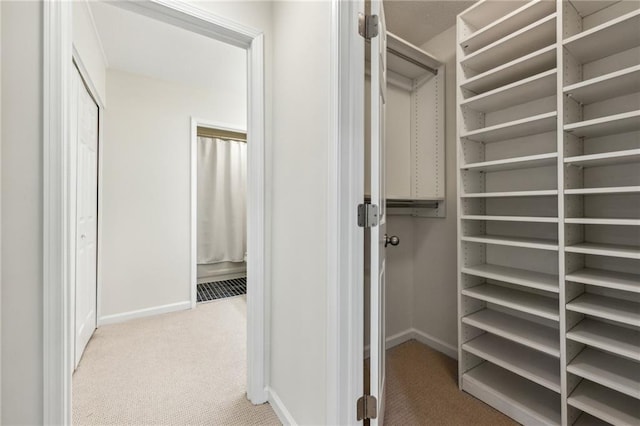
[(345, 268)]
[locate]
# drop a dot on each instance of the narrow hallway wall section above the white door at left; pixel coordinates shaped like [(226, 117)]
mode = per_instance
[(87, 44)]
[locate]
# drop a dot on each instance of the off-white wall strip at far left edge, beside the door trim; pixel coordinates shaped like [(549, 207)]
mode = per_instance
[(21, 40)]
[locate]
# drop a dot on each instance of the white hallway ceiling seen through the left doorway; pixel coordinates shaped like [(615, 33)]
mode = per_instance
[(141, 45)]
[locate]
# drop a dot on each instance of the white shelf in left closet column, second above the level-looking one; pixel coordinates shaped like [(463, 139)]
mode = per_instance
[(540, 123)]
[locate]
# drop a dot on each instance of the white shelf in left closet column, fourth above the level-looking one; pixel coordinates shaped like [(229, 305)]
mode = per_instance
[(518, 69)]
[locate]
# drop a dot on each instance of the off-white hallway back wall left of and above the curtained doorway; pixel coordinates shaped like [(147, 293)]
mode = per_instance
[(146, 184)]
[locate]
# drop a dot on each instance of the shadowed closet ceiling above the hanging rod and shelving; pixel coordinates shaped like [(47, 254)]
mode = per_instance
[(420, 20)]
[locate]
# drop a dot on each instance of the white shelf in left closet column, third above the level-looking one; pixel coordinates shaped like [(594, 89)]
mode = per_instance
[(531, 88)]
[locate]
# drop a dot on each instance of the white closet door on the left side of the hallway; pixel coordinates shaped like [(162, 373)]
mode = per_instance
[(86, 131)]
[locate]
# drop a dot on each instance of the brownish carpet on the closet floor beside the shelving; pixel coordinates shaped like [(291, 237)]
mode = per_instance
[(422, 389)]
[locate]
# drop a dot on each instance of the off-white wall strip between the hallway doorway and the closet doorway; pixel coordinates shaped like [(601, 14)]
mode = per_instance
[(300, 148)]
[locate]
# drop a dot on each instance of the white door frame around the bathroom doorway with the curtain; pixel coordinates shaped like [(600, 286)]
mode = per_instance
[(193, 191)]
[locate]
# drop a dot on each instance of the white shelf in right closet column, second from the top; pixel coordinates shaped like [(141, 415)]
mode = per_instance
[(607, 86)]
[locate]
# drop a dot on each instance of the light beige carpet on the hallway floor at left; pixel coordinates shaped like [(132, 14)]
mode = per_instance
[(183, 368)]
